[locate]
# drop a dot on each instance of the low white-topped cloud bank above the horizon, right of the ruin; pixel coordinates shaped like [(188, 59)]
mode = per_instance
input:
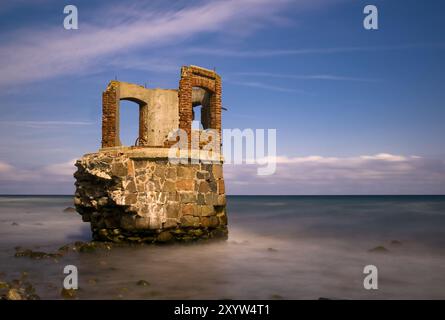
[(382, 173)]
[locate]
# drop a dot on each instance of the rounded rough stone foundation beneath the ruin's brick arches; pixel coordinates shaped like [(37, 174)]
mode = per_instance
[(137, 195)]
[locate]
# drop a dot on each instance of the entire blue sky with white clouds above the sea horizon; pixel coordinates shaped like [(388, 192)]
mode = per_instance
[(356, 111)]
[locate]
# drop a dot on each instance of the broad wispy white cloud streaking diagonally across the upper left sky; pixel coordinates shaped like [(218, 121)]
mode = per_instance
[(48, 52)]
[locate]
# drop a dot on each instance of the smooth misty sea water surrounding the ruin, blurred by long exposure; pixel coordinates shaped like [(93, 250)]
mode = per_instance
[(289, 247)]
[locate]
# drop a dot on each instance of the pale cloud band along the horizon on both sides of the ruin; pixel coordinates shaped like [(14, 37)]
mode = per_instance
[(311, 175)]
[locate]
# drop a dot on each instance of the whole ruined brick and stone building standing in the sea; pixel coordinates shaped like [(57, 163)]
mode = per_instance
[(136, 193)]
